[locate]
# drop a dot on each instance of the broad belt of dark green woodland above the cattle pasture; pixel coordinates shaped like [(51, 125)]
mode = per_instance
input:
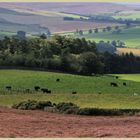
[(65, 54)]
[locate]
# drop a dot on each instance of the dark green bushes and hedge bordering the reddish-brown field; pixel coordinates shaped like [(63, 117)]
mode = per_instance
[(70, 108)]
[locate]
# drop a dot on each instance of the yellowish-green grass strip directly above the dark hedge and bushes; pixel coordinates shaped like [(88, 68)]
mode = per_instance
[(119, 101)]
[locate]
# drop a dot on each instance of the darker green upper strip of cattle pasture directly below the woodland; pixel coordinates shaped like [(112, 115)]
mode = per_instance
[(23, 79)]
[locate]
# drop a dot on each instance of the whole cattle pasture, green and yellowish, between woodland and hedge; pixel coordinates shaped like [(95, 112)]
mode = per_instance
[(87, 89)]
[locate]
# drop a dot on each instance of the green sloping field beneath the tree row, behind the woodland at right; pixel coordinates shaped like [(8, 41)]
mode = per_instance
[(129, 36)]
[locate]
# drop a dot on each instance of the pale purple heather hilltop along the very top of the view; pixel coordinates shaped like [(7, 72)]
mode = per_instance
[(79, 8)]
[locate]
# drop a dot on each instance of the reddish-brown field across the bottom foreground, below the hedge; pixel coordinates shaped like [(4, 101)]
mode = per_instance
[(19, 123)]
